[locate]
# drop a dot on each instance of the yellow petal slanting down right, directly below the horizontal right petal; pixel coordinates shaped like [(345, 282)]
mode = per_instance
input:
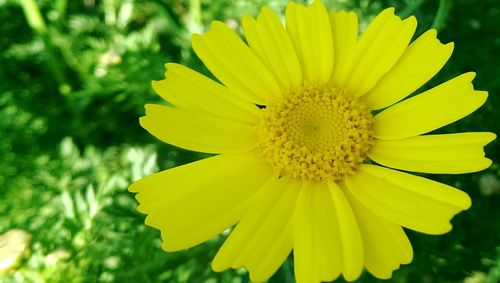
[(414, 202)]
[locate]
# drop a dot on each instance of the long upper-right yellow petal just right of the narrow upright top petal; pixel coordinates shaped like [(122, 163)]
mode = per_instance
[(378, 49)]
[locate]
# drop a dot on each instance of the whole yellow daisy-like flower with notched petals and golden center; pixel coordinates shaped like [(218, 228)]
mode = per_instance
[(302, 162)]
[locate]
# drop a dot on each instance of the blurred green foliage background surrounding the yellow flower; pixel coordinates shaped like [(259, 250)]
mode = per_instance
[(74, 76)]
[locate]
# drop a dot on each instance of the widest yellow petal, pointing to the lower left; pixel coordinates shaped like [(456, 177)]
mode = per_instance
[(190, 210)]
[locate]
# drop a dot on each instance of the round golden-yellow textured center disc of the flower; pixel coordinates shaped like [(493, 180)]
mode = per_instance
[(316, 133)]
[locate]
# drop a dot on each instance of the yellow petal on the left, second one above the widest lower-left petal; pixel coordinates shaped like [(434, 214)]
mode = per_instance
[(189, 90)]
